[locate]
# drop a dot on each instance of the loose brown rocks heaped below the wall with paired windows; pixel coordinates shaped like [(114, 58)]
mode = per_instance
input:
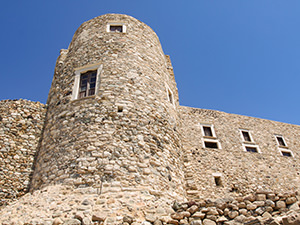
[(258, 208)]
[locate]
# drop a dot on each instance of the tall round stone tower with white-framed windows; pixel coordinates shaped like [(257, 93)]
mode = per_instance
[(112, 120)]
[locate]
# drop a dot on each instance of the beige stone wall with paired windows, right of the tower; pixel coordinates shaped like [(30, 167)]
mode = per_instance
[(240, 171)]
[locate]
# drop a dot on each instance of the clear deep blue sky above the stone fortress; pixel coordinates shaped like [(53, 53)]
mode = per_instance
[(237, 56)]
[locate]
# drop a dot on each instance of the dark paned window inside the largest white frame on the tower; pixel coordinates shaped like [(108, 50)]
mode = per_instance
[(87, 84)]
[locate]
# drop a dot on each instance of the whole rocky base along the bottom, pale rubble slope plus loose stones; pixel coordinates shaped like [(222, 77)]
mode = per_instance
[(64, 205)]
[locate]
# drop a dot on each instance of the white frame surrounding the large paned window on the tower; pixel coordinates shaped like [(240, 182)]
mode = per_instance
[(84, 69)]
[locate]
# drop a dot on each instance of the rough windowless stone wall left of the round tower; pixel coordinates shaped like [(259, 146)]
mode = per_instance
[(21, 123)]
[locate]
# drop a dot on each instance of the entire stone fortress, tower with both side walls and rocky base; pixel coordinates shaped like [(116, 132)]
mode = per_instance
[(130, 154)]
